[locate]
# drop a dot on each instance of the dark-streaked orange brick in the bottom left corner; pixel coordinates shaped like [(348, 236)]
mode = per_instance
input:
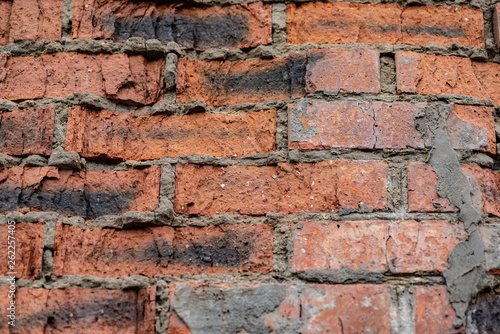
[(81, 310)]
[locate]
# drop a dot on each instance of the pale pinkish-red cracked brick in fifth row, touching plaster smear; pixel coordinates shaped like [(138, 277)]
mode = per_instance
[(377, 246)]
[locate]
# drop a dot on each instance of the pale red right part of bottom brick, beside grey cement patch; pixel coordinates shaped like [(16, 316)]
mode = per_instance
[(360, 308)]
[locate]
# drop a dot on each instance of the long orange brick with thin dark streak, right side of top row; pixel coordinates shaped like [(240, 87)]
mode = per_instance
[(341, 22)]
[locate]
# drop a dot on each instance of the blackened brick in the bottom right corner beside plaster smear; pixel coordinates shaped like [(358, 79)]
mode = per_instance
[(483, 316)]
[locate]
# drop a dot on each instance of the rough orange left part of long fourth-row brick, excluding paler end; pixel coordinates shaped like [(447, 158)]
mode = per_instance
[(211, 190)]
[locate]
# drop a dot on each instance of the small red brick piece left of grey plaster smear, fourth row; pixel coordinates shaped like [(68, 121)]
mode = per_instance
[(422, 193)]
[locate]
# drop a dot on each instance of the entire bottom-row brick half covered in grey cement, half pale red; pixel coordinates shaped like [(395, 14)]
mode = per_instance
[(265, 308)]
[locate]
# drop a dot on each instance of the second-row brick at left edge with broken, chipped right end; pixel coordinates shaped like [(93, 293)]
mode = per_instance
[(118, 76)]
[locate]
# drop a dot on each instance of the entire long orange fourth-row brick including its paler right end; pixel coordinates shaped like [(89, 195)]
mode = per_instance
[(210, 190)]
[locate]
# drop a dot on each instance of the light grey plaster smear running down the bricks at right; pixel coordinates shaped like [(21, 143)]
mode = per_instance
[(466, 274)]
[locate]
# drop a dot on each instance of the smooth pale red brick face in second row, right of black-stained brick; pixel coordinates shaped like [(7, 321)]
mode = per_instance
[(341, 70)]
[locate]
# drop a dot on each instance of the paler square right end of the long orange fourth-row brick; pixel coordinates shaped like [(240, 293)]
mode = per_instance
[(362, 183)]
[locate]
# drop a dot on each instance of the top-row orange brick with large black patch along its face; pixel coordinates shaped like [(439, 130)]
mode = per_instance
[(239, 26)]
